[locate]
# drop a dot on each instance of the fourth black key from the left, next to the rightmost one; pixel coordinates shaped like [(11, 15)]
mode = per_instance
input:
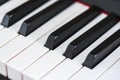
[(86, 39)]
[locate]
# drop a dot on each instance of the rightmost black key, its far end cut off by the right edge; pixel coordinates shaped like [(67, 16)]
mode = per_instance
[(103, 50)]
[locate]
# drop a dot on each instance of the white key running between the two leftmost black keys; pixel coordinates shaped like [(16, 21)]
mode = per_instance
[(9, 34)]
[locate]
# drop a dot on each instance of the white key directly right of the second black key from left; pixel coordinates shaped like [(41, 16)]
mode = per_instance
[(21, 43)]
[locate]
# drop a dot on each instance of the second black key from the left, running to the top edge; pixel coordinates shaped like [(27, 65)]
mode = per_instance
[(39, 19)]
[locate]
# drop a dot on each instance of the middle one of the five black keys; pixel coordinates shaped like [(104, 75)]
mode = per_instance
[(63, 33)]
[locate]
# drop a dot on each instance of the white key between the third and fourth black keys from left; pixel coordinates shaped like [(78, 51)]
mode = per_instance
[(51, 61)]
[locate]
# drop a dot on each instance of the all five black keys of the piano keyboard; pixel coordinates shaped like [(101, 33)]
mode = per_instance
[(66, 31)]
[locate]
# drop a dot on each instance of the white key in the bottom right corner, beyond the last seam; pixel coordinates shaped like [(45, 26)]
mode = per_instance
[(112, 73)]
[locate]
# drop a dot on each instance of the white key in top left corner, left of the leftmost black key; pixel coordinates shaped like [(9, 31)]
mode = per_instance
[(7, 7)]
